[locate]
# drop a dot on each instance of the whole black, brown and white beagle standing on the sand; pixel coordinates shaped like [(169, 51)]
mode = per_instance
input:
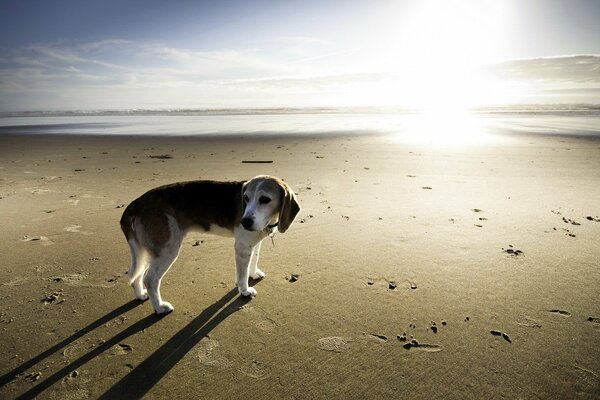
[(155, 224)]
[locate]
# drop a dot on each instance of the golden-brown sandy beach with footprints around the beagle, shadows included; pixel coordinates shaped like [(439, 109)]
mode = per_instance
[(420, 272)]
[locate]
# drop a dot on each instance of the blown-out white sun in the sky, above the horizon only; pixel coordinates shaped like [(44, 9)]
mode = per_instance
[(439, 50)]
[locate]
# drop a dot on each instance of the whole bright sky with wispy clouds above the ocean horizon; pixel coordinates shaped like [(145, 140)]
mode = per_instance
[(120, 54)]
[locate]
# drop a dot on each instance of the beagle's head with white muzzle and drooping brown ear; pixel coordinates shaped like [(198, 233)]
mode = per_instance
[(267, 200)]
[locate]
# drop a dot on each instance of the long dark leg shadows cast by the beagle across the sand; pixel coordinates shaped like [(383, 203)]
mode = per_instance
[(143, 377)]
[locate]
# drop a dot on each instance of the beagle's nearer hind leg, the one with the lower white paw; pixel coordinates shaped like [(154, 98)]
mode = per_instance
[(158, 265)]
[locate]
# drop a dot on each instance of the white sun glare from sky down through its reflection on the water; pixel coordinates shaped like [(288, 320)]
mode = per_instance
[(441, 48)]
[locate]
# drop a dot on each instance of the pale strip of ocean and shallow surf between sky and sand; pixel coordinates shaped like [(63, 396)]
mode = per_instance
[(440, 125)]
